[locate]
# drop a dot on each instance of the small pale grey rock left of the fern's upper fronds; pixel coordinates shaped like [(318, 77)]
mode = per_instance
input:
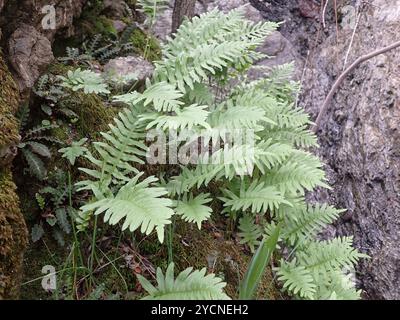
[(124, 66)]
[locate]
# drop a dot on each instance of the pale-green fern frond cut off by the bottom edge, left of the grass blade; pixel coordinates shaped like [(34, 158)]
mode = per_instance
[(188, 285)]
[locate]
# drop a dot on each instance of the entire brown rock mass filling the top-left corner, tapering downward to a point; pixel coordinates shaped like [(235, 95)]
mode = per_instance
[(29, 44)]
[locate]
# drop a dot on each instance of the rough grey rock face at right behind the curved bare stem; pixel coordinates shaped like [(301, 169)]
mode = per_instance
[(360, 136)]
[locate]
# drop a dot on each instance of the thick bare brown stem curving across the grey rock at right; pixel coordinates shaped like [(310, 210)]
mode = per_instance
[(343, 76)]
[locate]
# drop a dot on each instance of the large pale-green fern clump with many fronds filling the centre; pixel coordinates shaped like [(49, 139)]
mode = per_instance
[(200, 90)]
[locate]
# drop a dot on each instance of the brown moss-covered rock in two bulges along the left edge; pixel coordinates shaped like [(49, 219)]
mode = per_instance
[(13, 232)]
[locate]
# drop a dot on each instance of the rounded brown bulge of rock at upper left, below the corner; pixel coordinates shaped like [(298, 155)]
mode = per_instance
[(30, 53)]
